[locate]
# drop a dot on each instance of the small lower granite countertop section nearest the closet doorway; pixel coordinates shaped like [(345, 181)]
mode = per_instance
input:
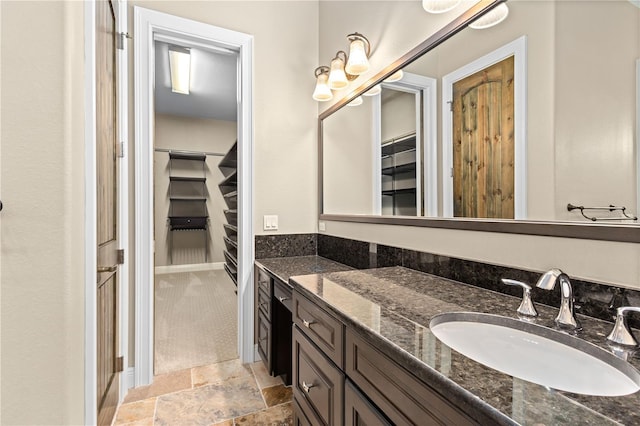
[(285, 267)]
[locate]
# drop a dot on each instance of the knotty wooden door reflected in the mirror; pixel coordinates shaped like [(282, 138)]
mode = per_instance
[(483, 149)]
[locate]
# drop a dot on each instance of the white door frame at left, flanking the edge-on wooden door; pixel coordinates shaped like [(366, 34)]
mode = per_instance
[(90, 273)]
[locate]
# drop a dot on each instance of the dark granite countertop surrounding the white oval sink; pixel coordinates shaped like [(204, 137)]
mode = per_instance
[(392, 307)]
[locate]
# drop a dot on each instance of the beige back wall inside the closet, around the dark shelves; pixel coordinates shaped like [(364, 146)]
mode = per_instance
[(190, 134)]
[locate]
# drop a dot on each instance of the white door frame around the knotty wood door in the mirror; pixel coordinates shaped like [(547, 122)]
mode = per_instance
[(517, 49)]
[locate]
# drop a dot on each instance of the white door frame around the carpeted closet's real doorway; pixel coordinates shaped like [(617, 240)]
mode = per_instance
[(148, 23)]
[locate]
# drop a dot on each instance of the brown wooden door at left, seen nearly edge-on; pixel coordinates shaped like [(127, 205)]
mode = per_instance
[(107, 226)]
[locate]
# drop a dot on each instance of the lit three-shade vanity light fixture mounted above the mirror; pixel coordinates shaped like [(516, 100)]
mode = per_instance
[(343, 68)]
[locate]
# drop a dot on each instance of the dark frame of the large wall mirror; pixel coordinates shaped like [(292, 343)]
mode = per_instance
[(603, 232)]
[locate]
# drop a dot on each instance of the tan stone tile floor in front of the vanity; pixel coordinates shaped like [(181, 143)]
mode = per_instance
[(227, 394)]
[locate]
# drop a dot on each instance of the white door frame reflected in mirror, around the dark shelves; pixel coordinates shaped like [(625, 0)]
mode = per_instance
[(425, 90)]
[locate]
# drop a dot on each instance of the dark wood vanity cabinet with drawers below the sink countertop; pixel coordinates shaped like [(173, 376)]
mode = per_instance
[(339, 377)]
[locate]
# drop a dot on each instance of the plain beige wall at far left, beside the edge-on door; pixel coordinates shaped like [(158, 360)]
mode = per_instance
[(42, 223)]
